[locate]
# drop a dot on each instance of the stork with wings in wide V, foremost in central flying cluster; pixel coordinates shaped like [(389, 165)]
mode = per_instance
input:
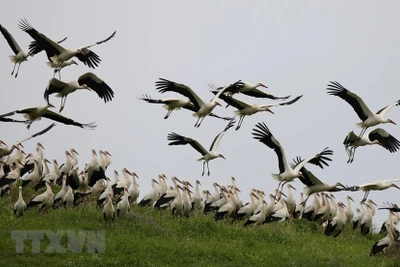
[(203, 109)]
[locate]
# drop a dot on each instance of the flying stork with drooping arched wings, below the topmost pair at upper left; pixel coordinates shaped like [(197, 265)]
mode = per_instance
[(88, 81)]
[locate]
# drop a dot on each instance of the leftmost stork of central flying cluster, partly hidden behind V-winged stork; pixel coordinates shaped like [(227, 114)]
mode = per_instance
[(171, 104)]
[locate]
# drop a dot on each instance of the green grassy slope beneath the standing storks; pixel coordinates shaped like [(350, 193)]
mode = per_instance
[(149, 237)]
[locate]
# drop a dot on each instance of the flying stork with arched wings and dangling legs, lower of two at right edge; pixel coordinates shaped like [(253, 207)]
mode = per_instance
[(378, 136)]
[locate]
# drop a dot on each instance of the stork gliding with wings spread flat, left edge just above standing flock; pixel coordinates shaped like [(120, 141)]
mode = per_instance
[(36, 113)]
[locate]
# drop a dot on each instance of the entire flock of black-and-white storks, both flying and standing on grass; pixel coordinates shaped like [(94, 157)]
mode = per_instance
[(76, 185)]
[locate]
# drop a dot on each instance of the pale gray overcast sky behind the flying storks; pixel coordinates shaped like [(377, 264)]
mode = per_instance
[(292, 47)]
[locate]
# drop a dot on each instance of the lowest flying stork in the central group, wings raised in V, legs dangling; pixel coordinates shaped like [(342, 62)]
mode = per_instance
[(178, 139)]
